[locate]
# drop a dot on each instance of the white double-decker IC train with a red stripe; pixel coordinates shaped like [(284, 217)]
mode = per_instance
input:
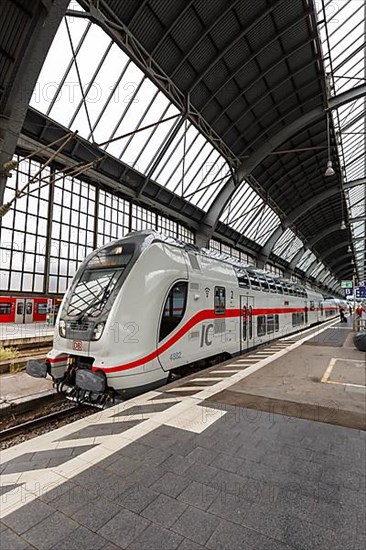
[(143, 306)]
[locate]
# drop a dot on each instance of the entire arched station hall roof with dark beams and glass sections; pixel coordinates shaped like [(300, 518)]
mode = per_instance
[(231, 111)]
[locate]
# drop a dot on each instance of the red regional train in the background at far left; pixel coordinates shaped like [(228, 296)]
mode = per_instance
[(15, 309)]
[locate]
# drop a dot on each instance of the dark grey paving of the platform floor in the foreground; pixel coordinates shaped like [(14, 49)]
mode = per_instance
[(251, 481)]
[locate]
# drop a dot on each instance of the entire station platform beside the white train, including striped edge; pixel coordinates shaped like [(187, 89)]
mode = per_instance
[(205, 462)]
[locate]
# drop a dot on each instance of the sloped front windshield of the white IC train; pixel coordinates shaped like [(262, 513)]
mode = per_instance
[(100, 277)]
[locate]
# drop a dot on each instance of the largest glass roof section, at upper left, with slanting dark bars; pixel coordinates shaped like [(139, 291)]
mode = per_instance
[(105, 96)]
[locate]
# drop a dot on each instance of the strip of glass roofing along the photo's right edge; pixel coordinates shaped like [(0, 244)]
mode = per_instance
[(342, 31)]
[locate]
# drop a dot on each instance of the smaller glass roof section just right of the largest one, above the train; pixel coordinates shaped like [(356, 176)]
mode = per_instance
[(248, 213)]
